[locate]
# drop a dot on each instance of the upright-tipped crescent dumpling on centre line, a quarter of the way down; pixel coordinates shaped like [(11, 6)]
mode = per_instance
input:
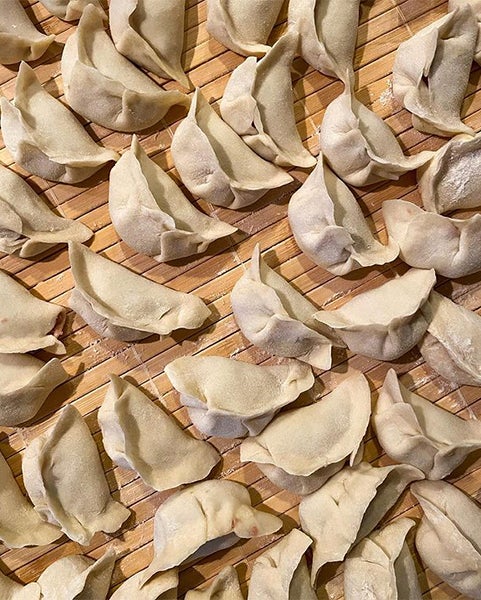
[(216, 164)]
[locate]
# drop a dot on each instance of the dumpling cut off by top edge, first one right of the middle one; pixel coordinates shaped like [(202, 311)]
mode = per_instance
[(328, 32)]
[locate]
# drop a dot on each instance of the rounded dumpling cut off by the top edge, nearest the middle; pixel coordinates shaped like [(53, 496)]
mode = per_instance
[(243, 26)]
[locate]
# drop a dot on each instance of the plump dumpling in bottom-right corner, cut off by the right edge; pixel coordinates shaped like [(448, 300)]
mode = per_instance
[(448, 538)]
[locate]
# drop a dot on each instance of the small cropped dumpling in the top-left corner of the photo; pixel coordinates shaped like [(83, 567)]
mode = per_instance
[(19, 39)]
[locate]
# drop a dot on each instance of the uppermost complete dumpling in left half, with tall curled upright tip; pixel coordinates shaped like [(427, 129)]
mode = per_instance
[(104, 87)]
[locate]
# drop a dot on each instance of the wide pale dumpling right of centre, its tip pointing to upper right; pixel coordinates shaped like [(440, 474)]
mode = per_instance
[(387, 321)]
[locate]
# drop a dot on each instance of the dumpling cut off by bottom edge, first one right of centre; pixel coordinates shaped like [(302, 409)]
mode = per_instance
[(281, 572)]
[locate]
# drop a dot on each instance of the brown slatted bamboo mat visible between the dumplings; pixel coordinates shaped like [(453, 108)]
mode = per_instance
[(90, 360)]
